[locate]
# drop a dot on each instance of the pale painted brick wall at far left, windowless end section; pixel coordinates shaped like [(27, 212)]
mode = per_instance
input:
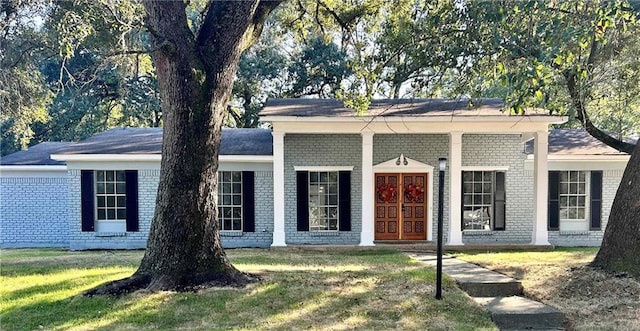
[(33, 212)]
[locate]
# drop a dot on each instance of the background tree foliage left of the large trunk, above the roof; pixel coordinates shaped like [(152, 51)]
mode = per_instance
[(70, 69)]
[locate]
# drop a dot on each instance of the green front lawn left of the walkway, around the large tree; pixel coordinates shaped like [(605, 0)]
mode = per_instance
[(333, 289)]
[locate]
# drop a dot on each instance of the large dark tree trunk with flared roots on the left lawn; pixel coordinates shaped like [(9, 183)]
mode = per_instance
[(195, 75)]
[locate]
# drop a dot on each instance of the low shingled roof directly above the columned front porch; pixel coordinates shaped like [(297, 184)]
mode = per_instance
[(389, 107)]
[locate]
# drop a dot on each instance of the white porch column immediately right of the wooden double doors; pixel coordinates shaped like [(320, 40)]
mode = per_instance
[(455, 188)]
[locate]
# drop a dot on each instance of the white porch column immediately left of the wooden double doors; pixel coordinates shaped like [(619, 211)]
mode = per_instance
[(366, 236)]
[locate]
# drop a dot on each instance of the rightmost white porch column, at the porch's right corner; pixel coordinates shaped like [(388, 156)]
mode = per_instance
[(540, 235)]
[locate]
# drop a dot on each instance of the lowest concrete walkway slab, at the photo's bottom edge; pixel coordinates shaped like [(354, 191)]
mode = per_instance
[(518, 313)]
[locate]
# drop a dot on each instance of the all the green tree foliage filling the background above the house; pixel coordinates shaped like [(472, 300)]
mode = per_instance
[(80, 71)]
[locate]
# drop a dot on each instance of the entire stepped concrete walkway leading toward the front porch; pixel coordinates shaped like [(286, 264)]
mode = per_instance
[(501, 295)]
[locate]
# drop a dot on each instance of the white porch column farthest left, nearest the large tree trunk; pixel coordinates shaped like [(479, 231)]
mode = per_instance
[(278, 189)]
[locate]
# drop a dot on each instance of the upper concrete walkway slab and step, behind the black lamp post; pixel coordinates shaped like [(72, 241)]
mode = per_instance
[(473, 279)]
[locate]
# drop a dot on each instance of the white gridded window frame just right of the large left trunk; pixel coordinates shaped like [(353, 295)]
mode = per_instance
[(221, 205)]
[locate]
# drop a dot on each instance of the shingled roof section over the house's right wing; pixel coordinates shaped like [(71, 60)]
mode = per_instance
[(575, 142)]
